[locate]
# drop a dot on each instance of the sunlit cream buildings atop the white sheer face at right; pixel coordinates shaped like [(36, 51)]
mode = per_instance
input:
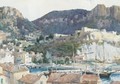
[(100, 35)]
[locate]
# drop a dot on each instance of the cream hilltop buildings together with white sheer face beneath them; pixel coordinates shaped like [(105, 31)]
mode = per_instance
[(102, 46)]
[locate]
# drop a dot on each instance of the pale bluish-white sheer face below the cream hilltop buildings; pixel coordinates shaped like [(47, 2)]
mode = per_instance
[(102, 52)]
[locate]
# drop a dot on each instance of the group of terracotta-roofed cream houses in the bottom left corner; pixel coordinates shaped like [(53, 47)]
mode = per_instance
[(16, 74)]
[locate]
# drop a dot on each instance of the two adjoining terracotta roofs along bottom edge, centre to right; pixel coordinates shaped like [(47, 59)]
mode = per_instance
[(73, 78)]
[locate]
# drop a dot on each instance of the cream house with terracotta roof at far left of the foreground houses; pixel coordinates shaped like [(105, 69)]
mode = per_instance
[(13, 72)]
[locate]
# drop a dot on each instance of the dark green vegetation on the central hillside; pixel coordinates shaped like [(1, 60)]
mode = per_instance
[(55, 47)]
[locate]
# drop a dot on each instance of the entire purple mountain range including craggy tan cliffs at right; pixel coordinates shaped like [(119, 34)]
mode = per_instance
[(68, 21)]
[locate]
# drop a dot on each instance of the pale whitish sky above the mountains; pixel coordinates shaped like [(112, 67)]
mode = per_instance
[(33, 9)]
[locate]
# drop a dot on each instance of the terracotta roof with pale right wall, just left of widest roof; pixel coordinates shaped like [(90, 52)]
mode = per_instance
[(33, 79)]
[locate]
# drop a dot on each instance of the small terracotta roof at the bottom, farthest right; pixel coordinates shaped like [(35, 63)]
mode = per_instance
[(90, 79)]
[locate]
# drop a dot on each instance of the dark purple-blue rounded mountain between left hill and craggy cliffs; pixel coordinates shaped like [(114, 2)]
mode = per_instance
[(62, 21)]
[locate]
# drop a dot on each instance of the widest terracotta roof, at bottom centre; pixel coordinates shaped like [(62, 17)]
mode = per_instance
[(64, 78)]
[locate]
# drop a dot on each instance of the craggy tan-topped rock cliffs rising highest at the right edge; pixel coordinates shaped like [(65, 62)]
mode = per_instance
[(104, 17)]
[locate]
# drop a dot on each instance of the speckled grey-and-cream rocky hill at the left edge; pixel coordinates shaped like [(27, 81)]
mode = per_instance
[(12, 21)]
